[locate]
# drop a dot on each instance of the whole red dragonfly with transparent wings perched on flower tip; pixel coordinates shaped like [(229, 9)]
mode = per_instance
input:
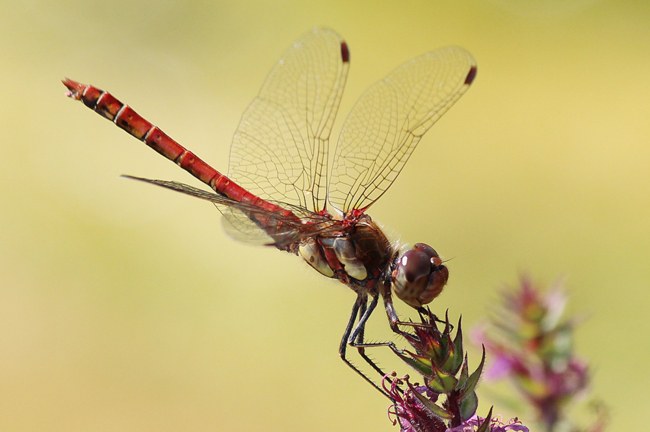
[(279, 190)]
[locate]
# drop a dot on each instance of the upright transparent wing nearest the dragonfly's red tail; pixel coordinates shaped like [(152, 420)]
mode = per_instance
[(280, 149)]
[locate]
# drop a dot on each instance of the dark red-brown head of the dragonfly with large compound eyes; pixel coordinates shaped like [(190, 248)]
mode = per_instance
[(419, 276)]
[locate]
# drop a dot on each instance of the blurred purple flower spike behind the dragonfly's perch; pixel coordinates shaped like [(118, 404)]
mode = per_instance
[(532, 346)]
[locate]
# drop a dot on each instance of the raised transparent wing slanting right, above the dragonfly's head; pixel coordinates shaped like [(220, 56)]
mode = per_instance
[(388, 121)]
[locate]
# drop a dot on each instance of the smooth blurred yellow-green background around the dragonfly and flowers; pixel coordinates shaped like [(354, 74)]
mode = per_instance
[(126, 308)]
